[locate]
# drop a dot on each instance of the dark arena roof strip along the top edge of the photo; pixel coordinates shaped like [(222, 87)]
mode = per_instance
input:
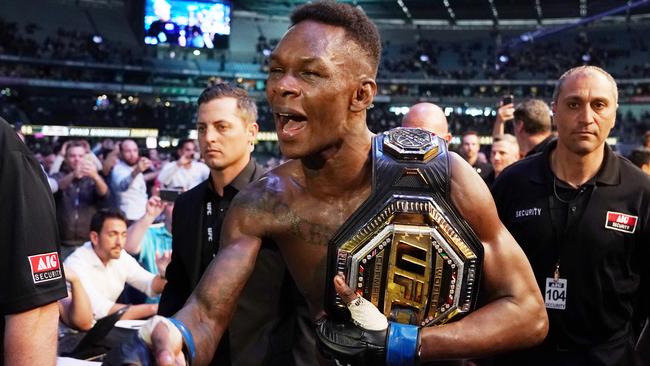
[(453, 11)]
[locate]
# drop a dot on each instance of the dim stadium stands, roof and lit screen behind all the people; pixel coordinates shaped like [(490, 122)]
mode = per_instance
[(111, 69)]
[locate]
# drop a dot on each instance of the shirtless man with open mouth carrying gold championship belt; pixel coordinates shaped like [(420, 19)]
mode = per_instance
[(321, 81)]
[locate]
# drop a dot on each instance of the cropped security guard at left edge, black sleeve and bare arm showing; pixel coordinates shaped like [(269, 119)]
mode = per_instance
[(32, 276)]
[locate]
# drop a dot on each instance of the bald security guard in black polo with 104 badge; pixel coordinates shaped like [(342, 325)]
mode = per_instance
[(581, 213)]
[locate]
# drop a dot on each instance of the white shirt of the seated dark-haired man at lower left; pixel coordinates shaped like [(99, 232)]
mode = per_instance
[(105, 283)]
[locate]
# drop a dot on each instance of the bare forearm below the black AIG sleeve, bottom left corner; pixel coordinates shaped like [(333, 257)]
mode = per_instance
[(23, 329)]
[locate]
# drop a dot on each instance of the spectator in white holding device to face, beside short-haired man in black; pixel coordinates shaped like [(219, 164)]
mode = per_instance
[(185, 172)]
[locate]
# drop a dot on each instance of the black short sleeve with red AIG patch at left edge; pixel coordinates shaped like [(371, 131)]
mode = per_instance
[(30, 271)]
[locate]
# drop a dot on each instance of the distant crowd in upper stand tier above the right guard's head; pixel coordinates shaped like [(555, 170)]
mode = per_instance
[(545, 58)]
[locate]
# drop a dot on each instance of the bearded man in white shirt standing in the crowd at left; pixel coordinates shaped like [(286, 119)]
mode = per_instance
[(128, 183)]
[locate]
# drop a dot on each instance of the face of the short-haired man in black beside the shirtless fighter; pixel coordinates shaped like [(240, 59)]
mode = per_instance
[(225, 138)]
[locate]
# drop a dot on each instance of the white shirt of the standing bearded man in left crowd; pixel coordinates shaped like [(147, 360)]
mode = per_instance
[(131, 192)]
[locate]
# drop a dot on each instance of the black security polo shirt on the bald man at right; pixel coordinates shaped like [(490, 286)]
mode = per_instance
[(600, 235)]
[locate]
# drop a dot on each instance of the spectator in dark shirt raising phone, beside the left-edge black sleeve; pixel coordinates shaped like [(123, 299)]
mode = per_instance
[(81, 192)]
